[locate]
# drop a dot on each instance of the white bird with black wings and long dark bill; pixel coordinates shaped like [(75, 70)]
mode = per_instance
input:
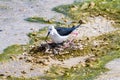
[(60, 34)]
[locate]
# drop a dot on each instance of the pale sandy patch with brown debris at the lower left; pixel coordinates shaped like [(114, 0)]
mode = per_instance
[(28, 66)]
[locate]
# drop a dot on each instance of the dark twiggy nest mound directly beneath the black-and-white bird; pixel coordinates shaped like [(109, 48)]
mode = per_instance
[(53, 48)]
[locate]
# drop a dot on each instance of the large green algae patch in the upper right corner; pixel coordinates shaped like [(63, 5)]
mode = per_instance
[(80, 10)]
